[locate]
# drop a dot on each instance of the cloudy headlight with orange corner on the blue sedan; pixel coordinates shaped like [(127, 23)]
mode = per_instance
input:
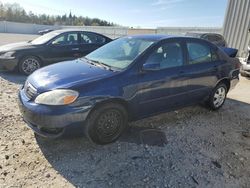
[(57, 97)]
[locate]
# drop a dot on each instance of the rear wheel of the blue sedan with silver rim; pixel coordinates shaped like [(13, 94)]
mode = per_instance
[(218, 96)]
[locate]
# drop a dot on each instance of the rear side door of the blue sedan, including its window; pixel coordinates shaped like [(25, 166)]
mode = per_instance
[(202, 69)]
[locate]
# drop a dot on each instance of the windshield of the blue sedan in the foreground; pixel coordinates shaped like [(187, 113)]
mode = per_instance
[(121, 52)]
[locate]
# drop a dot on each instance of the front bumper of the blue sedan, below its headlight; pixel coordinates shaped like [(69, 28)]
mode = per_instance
[(51, 121)]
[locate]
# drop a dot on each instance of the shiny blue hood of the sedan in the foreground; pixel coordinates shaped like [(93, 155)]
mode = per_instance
[(67, 74)]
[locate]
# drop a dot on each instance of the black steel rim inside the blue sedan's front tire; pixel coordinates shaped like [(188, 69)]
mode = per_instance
[(109, 124)]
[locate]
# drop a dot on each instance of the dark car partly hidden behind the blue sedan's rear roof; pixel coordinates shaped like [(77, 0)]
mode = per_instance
[(215, 38)]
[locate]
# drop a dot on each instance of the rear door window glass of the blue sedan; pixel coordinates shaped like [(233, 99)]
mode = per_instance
[(198, 53)]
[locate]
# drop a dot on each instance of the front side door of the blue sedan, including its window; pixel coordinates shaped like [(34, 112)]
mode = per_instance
[(164, 88)]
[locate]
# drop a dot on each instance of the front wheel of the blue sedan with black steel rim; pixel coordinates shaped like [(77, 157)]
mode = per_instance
[(98, 128)]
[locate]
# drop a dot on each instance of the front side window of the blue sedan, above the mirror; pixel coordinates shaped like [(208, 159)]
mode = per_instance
[(167, 55)]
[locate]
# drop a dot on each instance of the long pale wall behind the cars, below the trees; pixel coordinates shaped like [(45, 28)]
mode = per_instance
[(113, 32)]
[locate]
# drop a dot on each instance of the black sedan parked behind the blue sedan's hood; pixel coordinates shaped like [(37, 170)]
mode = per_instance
[(55, 46)]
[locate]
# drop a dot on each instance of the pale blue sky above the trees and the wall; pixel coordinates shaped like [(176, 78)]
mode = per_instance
[(134, 13)]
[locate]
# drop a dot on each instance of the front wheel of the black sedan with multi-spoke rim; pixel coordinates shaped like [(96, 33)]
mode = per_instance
[(29, 64)]
